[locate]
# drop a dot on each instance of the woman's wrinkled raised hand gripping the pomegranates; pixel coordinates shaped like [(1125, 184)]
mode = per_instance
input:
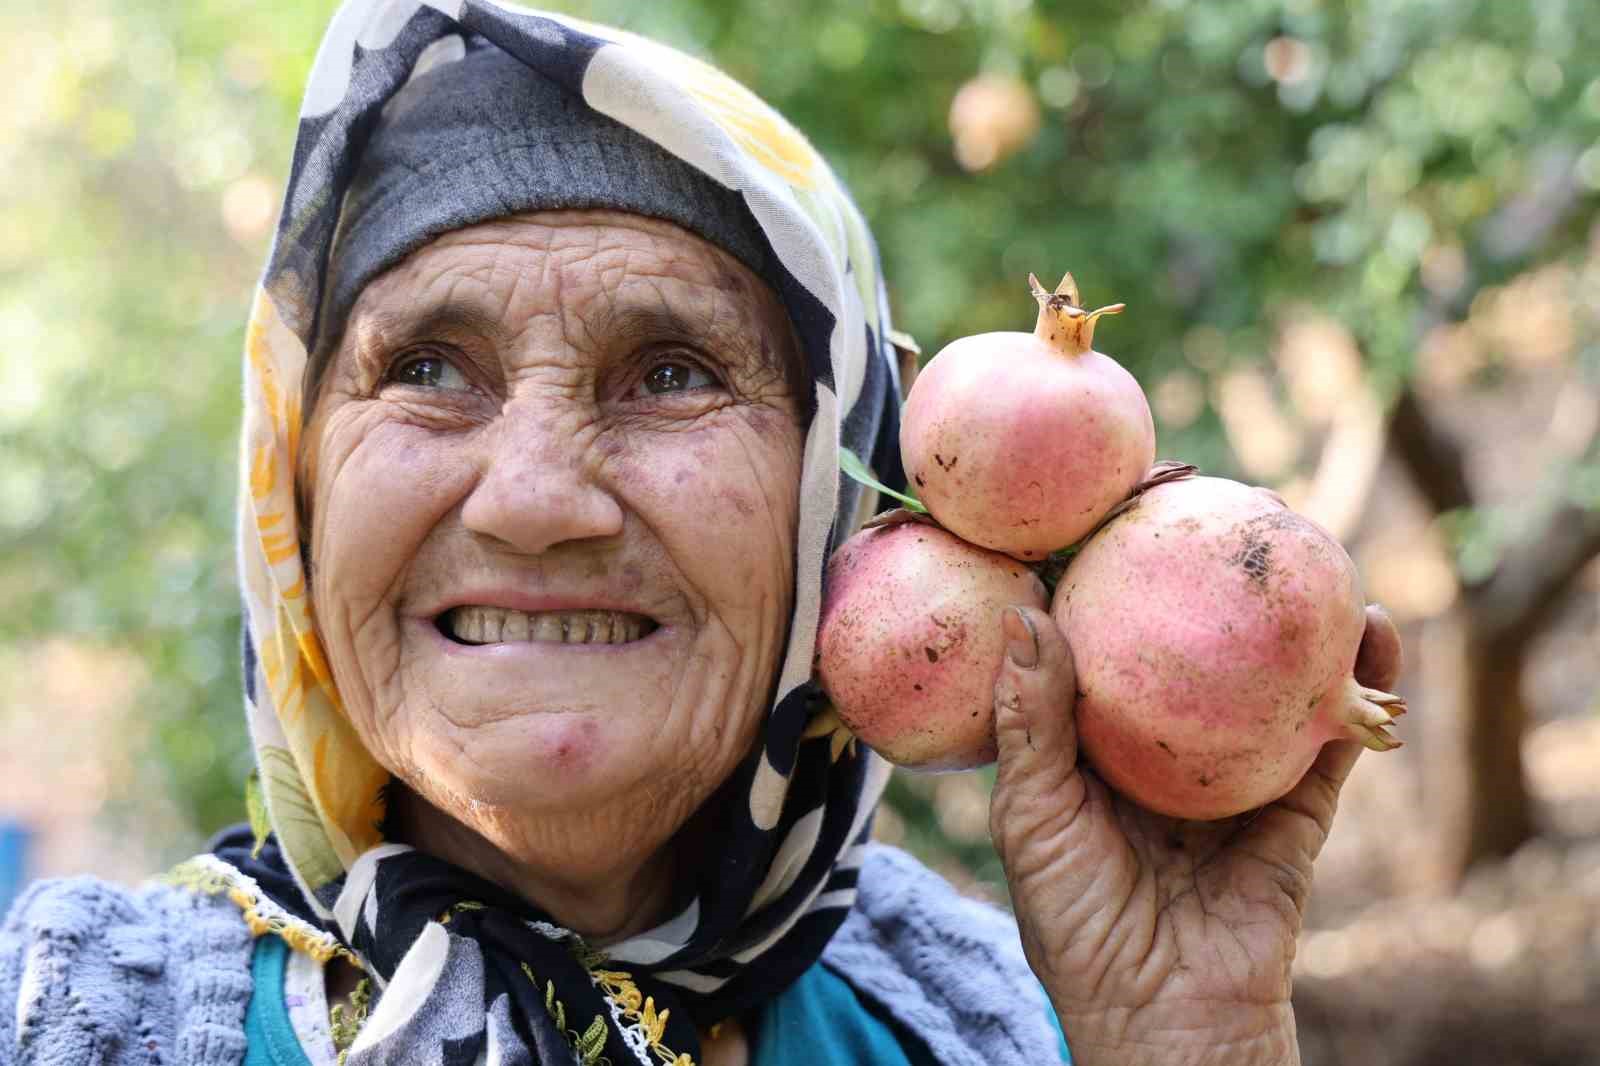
[(1161, 942)]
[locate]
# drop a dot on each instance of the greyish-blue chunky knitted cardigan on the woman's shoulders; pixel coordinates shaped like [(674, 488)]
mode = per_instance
[(100, 976)]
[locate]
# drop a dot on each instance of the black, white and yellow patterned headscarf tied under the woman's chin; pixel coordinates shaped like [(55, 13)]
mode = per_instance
[(466, 968)]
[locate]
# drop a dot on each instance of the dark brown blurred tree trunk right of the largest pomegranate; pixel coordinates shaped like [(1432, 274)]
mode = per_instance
[(1500, 812)]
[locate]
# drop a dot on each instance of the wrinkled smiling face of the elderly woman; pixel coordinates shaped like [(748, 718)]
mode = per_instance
[(554, 483)]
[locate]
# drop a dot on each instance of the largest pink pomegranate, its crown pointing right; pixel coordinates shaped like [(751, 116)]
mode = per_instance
[(1215, 635)]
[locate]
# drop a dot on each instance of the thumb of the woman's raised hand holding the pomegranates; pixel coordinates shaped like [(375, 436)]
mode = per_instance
[(1036, 691)]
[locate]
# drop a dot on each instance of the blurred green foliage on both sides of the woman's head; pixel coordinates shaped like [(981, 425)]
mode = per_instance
[(1210, 164)]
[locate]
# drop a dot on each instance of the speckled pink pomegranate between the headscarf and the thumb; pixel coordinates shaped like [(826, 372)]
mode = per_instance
[(911, 643)]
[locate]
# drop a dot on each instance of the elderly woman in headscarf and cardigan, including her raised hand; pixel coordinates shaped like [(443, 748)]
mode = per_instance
[(546, 387)]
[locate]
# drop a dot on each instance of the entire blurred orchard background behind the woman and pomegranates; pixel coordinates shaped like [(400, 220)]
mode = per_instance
[(1361, 250)]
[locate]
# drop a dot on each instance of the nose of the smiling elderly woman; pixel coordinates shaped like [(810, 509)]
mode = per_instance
[(537, 487)]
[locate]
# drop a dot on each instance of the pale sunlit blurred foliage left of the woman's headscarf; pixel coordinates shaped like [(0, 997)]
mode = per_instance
[(140, 153)]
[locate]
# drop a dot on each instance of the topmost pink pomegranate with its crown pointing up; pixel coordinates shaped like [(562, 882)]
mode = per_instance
[(1023, 443)]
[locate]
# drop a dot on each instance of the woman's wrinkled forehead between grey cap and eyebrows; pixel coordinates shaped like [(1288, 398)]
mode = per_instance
[(578, 268)]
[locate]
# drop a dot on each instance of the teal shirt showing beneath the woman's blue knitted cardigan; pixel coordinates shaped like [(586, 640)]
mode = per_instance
[(815, 1022)]
